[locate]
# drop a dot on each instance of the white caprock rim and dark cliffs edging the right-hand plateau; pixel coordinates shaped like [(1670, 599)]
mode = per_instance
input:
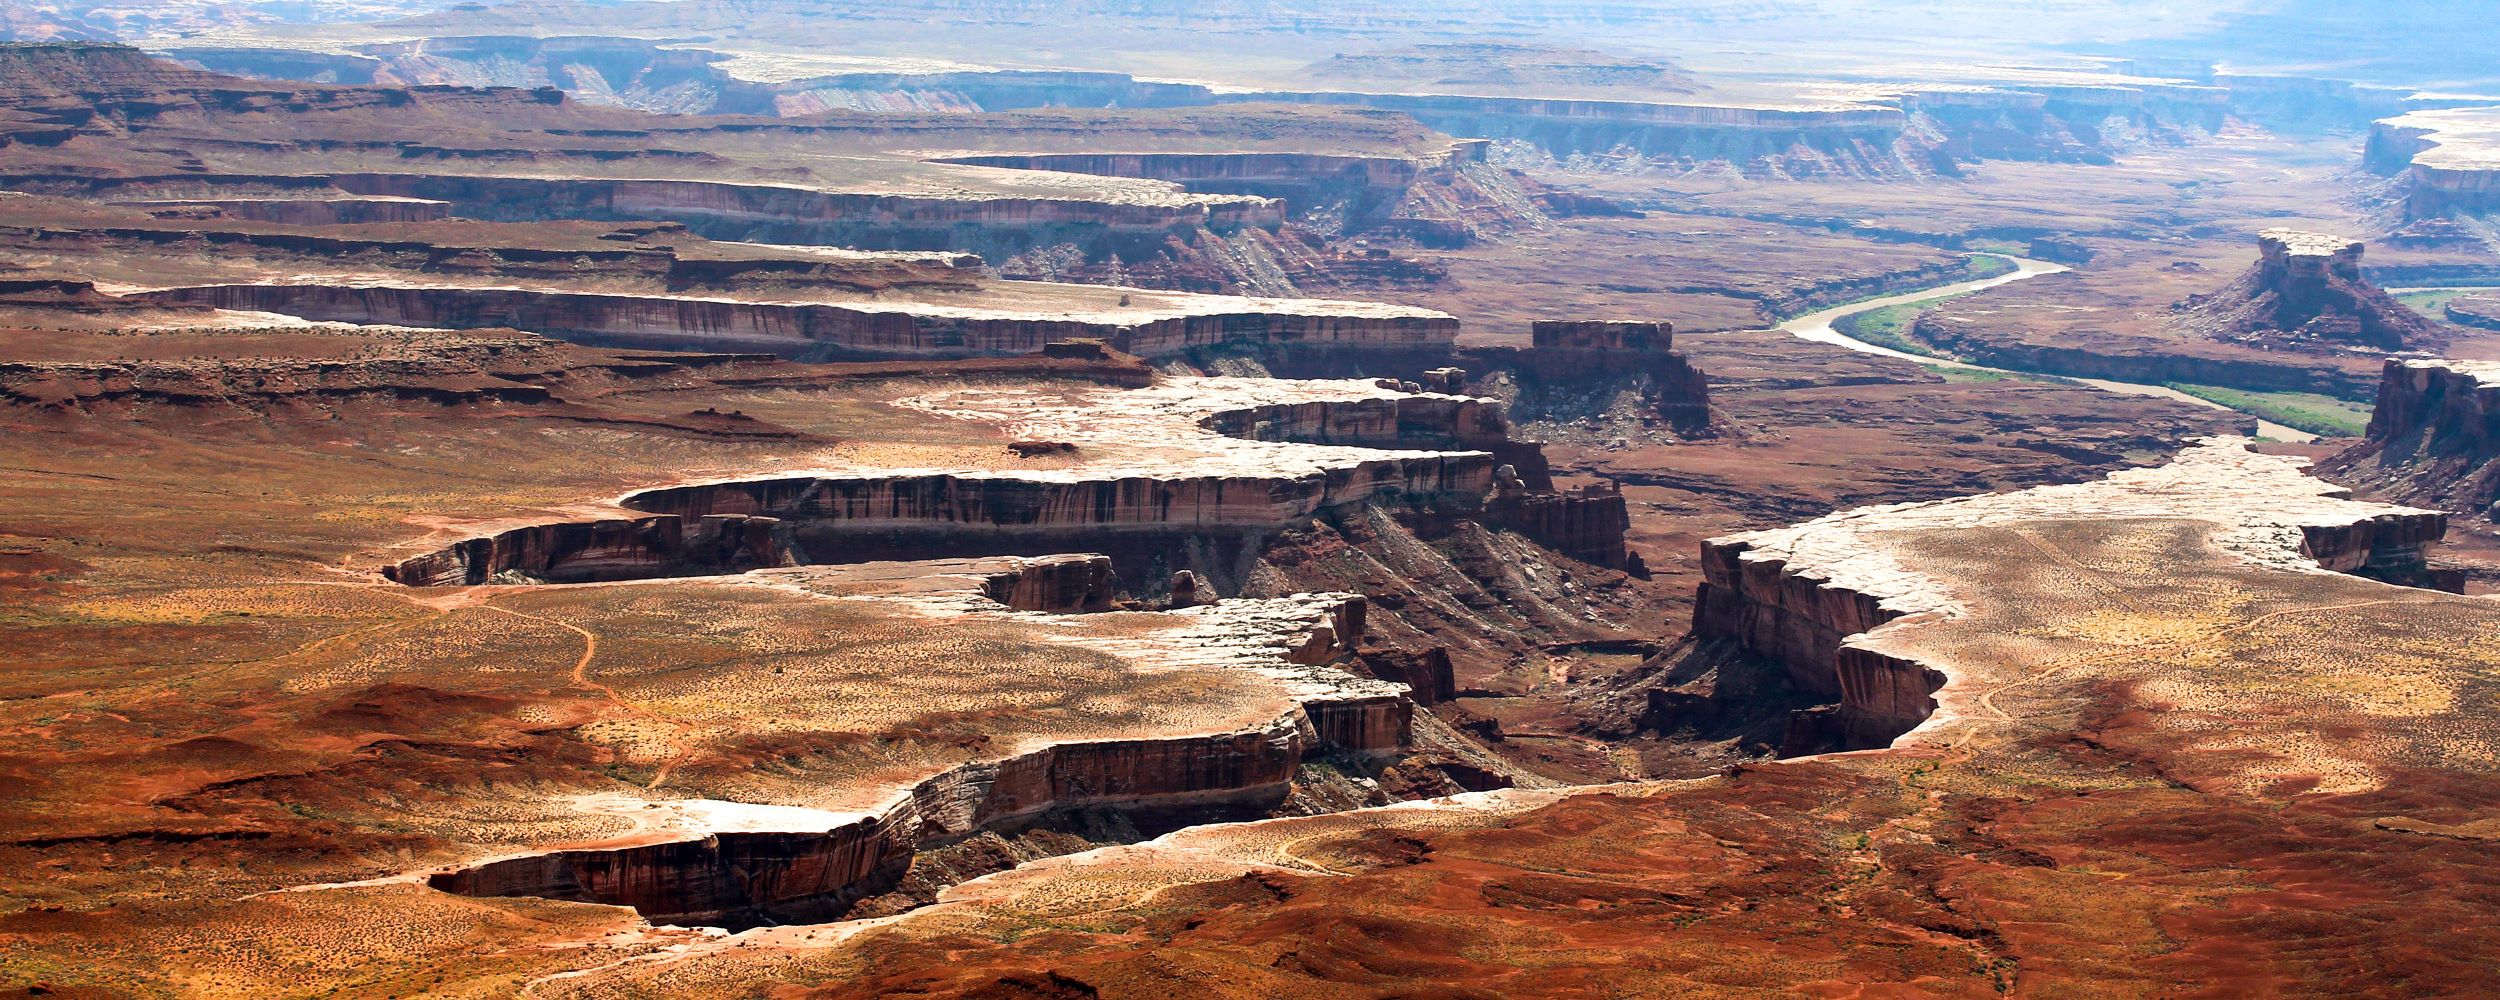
[(1821, 596)]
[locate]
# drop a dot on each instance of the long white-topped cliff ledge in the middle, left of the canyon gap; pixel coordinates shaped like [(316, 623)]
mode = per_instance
[(1199, 461)]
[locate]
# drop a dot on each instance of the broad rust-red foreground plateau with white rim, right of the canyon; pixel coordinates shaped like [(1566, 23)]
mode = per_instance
[(2139, 669)]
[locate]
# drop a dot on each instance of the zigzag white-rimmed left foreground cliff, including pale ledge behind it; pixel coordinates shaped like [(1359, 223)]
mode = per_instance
[(746, 864)]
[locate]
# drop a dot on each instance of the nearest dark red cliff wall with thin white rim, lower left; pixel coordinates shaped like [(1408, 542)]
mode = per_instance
[(739, 866)]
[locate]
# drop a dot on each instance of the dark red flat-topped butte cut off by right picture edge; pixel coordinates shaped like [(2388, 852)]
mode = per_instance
[(2434, 439)]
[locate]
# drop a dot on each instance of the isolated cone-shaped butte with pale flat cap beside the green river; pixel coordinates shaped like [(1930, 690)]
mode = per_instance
[(2306, 294)]
